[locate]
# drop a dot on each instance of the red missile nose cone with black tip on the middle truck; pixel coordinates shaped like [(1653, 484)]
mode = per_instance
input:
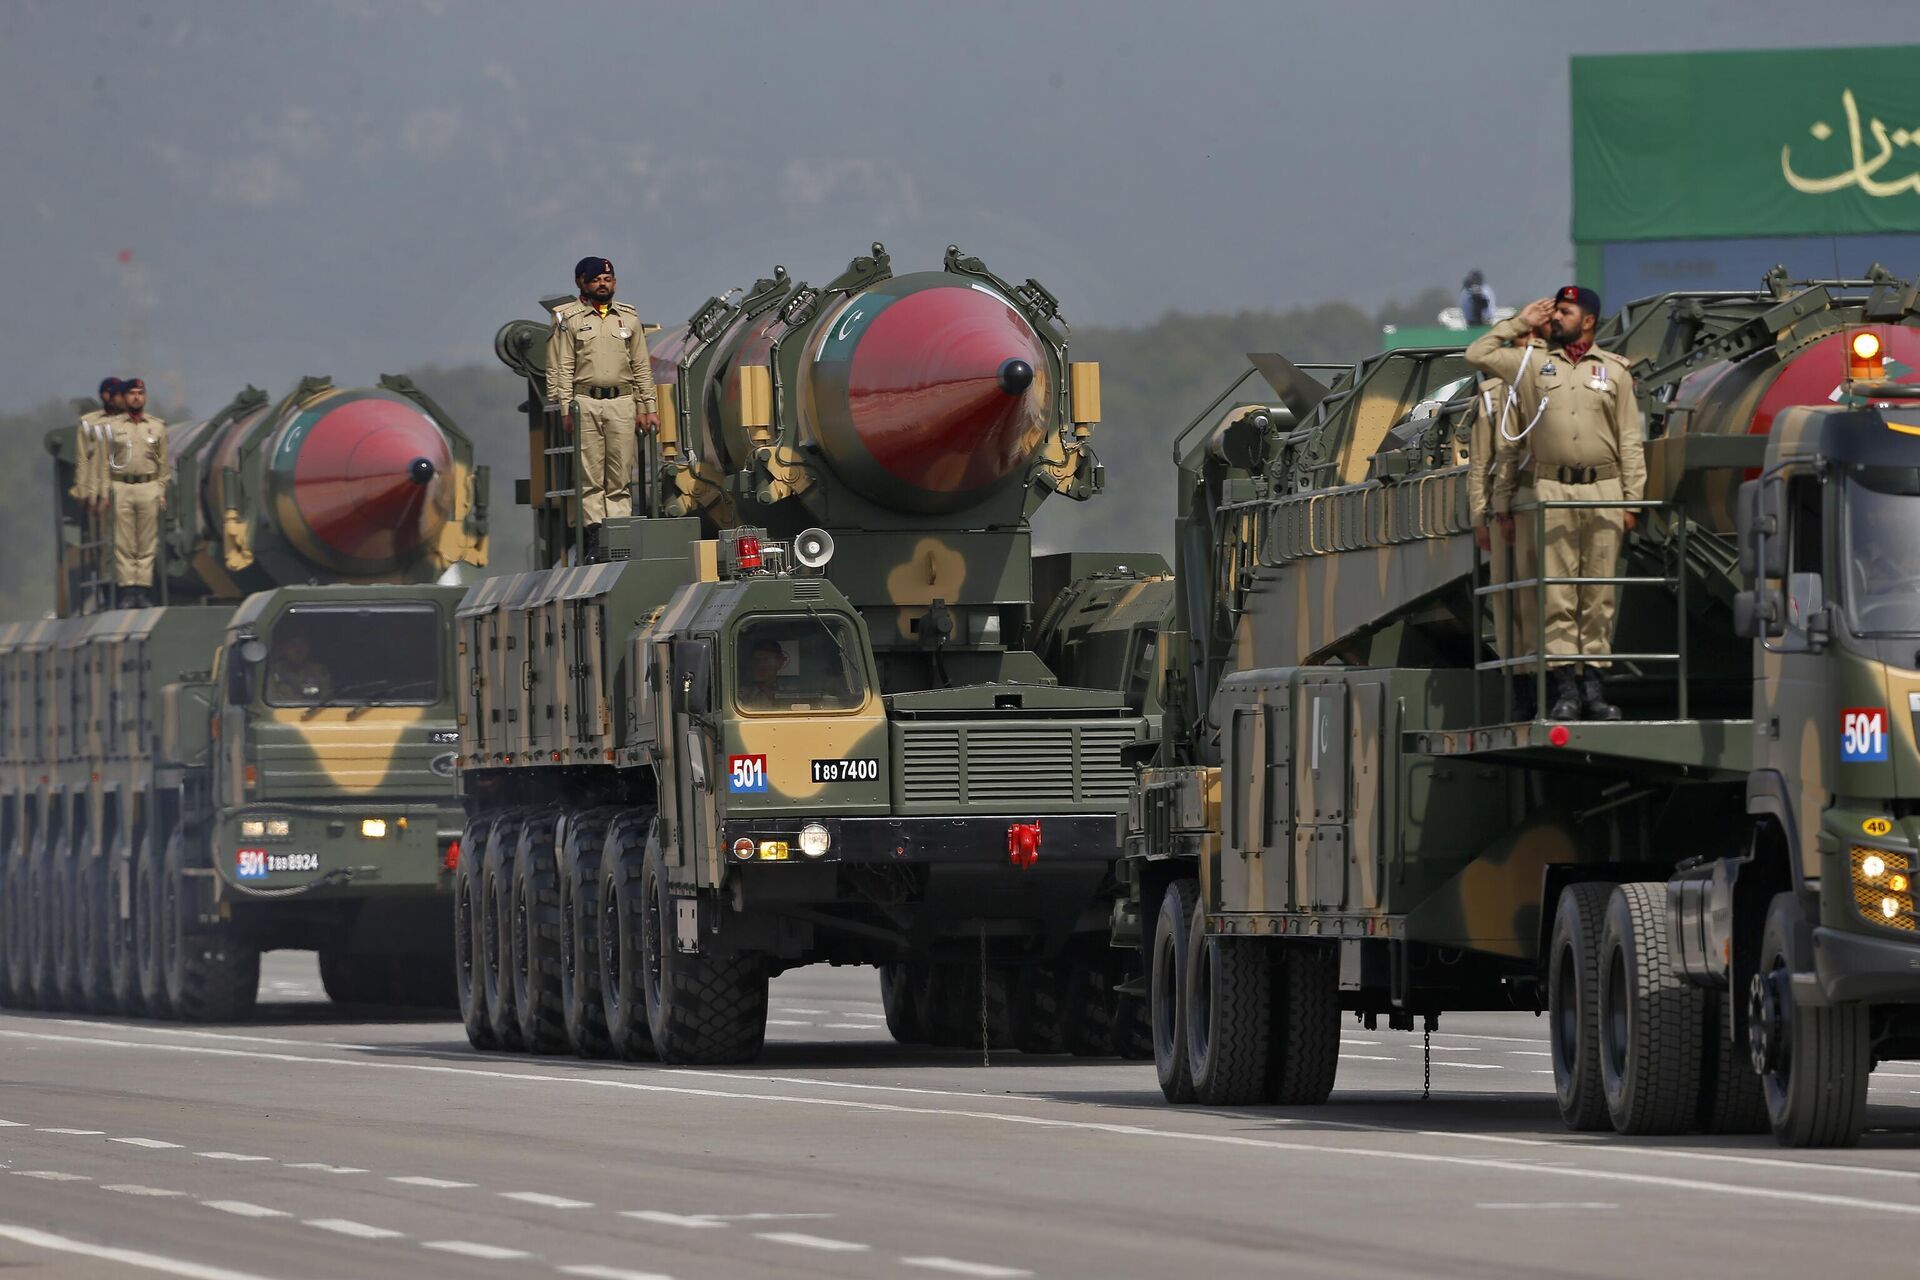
[(946, 394)]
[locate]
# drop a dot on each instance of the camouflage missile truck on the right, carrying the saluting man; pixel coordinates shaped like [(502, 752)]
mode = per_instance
[(1712, 899)]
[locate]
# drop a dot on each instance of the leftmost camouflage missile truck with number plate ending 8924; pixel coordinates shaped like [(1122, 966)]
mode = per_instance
[(260, 761)]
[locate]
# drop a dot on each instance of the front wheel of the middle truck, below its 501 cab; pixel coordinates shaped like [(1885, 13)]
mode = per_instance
[(700, 1008)]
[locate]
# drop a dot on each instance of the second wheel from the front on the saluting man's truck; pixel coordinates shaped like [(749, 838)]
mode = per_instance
[(1650, 1018)]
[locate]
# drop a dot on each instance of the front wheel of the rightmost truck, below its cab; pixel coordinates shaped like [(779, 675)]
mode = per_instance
[(1813, 1062)]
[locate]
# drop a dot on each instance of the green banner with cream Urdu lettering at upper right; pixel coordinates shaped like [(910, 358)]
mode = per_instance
[(1790, 143)]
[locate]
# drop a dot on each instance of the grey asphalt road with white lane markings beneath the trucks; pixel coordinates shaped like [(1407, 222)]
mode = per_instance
[(316, 1143)]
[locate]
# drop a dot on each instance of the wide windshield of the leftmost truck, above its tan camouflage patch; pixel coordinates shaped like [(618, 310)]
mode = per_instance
[(348, 655)]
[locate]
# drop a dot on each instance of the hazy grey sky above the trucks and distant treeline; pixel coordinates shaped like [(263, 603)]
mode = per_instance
[(366, 185)]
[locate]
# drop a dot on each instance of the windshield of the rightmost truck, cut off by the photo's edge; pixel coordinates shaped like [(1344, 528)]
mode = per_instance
[(1883, 550)]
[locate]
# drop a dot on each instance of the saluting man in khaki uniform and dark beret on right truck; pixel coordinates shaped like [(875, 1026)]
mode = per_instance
[(1573, 437)]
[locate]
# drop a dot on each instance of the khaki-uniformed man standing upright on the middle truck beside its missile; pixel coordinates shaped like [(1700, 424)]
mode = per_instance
[(598, 367)]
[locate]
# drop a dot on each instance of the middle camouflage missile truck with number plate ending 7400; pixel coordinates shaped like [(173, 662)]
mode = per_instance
[(800, 715)]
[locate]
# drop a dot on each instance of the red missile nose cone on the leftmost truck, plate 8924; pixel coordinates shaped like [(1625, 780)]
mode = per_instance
[(364, 477)]
